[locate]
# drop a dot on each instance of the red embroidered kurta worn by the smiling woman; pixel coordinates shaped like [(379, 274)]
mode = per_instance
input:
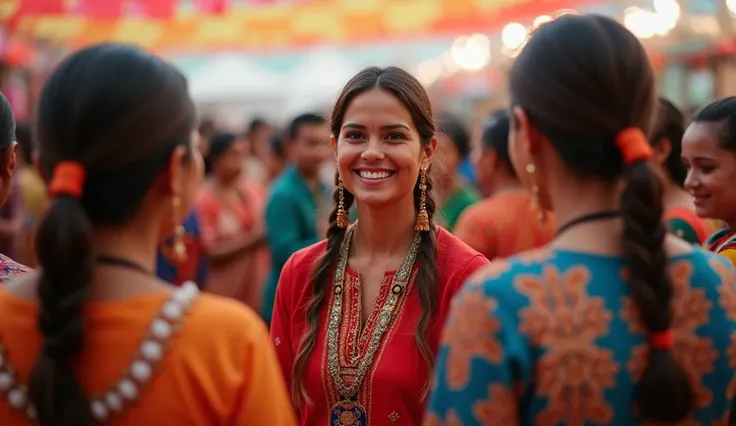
[(392, 390)]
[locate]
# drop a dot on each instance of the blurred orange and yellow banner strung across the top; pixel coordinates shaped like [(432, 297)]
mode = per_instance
[(274, 26)]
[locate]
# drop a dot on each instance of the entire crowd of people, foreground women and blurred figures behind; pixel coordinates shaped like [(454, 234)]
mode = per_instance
[(572, 263)]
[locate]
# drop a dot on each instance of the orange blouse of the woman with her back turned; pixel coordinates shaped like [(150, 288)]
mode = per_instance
[(220, 369)]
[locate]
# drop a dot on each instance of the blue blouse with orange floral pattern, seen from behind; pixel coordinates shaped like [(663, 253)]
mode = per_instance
[(551, 337)]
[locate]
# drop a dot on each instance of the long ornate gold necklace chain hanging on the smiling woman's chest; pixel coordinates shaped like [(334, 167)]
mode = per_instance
[(398, 287)]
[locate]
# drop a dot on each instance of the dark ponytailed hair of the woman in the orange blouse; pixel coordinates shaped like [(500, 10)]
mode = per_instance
[(118, 114)]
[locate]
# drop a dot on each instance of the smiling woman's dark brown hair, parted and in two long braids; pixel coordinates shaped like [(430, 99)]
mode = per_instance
[(412, 95)]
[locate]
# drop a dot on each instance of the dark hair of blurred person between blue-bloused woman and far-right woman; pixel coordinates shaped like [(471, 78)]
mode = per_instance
[(670, 126)]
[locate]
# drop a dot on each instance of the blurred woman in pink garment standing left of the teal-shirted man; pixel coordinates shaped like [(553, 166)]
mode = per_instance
[(230, 210)]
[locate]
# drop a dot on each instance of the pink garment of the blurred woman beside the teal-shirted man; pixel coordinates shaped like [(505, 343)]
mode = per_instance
[(223, 222)]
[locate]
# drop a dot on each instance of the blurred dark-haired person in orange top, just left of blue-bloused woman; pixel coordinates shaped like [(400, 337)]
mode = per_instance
[(507, 222)]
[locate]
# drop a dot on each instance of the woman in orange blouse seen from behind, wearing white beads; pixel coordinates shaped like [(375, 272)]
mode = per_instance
[(115, 131)]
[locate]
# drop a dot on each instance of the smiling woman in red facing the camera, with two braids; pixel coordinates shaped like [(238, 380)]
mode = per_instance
[(357, 317)]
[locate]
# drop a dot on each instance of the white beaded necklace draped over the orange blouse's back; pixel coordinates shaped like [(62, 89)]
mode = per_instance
[(138, 374)]
